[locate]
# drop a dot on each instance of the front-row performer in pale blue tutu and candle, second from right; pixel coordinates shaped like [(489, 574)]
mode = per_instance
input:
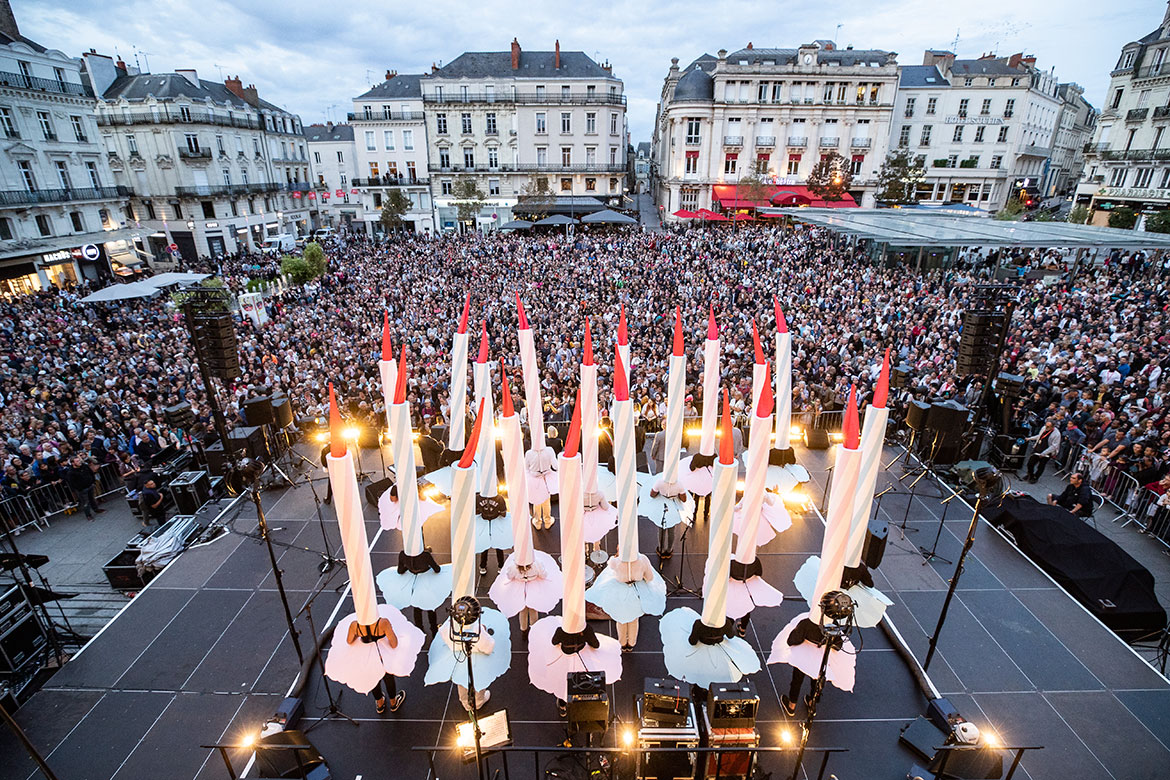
[(705, 650)]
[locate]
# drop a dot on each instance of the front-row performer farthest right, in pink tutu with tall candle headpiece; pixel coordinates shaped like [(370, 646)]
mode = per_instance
[(801, 644)]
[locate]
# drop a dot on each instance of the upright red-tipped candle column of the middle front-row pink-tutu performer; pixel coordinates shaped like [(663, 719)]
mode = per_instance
[(573, 529)]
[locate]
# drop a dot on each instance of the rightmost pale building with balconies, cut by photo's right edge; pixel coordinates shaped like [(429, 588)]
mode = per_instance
[(1128, 162)]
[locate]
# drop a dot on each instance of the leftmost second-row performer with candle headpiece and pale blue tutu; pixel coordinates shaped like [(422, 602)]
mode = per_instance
[(418, 581)]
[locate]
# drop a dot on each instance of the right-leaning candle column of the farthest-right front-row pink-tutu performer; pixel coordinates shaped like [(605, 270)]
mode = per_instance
[(841, 509)]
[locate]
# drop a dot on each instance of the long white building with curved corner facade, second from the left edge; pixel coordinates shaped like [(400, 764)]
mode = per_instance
[(214, 168)]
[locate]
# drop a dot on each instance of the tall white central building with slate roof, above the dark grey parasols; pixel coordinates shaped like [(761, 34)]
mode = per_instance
[(505, 121)]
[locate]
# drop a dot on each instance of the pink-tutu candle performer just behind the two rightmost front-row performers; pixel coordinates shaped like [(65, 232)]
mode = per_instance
[(747, 589)]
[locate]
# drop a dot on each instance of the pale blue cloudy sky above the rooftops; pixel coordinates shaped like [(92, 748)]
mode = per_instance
[(314, 58)]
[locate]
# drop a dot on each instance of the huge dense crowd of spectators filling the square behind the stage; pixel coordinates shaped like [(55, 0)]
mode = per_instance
[(87, 385)]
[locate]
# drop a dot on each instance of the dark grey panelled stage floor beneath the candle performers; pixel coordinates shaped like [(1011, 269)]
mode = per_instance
[(203, 657)]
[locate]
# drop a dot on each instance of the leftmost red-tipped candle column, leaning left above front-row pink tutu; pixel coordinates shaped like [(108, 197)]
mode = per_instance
[(348, 505)]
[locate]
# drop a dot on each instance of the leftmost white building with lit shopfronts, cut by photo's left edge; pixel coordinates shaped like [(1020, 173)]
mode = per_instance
[(63, 218)]
